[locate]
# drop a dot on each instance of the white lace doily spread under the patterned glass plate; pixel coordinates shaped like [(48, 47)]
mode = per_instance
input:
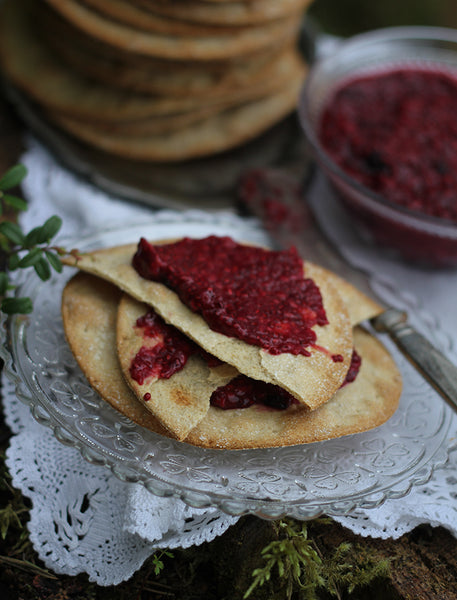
[(83, 518)]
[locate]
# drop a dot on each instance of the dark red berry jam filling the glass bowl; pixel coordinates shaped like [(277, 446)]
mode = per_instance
[(396, 133)]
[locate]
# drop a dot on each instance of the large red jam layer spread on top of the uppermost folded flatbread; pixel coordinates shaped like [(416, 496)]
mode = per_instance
[(256, 295)]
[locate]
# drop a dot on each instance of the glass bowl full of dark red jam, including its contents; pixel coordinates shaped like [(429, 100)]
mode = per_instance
[(380, 115)]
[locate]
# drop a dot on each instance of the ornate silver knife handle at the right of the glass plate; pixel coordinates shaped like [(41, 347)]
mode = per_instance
[(434, 366)]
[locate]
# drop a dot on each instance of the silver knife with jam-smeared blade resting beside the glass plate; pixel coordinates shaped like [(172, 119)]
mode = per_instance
[(276, 198)]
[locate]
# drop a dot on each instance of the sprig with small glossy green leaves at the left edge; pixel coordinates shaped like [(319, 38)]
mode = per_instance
[(24, 250)]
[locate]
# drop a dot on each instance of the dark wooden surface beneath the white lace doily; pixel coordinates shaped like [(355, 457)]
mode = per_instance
[(423, 564)]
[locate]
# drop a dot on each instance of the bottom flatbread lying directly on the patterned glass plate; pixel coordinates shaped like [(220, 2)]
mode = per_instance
[(90, 308)]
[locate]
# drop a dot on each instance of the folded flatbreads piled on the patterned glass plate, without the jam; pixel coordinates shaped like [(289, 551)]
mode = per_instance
[(102, 303)]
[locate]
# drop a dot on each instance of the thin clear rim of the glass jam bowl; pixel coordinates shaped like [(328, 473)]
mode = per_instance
[(387, 34)]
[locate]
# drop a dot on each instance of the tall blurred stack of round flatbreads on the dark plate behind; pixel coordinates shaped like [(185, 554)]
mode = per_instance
[(156, 80)]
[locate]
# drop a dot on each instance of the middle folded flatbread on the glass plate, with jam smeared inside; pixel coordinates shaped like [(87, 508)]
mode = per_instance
[(182, 401)]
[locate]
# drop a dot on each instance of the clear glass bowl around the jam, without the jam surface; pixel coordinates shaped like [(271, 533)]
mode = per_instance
[(413, 235)]
